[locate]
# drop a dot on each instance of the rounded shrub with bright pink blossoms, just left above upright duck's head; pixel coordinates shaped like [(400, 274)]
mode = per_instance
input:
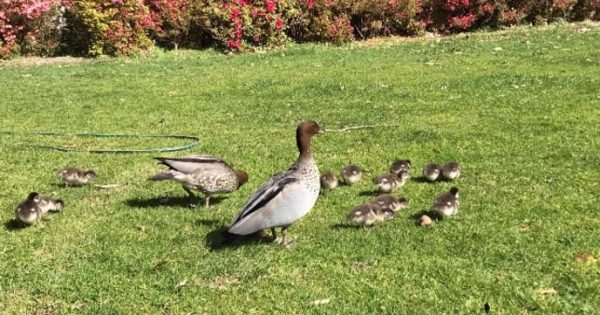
[(238, 25)]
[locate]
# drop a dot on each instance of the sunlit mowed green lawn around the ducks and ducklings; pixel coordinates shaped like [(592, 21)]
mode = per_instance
[(520, 110)]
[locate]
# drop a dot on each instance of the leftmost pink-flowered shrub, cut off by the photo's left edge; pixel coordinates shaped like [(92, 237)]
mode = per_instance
[(29, 27)]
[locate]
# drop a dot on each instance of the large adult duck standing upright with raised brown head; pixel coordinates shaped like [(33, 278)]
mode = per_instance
[(287, 196)]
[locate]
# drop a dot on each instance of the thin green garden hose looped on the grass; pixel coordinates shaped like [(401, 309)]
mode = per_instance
[(194, 141)]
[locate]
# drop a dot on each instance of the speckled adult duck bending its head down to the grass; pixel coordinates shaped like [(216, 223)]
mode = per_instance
[(205, 173)]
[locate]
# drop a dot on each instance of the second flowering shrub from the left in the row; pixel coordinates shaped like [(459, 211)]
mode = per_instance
[(108, 27)]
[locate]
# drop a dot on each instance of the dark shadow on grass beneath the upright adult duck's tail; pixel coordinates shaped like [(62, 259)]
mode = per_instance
[(219, 239)]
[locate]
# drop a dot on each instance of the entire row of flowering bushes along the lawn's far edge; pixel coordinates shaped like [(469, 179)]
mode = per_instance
[(120, 27)]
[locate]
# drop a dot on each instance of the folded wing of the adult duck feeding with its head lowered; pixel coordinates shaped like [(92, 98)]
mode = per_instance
[(195, 163)]
